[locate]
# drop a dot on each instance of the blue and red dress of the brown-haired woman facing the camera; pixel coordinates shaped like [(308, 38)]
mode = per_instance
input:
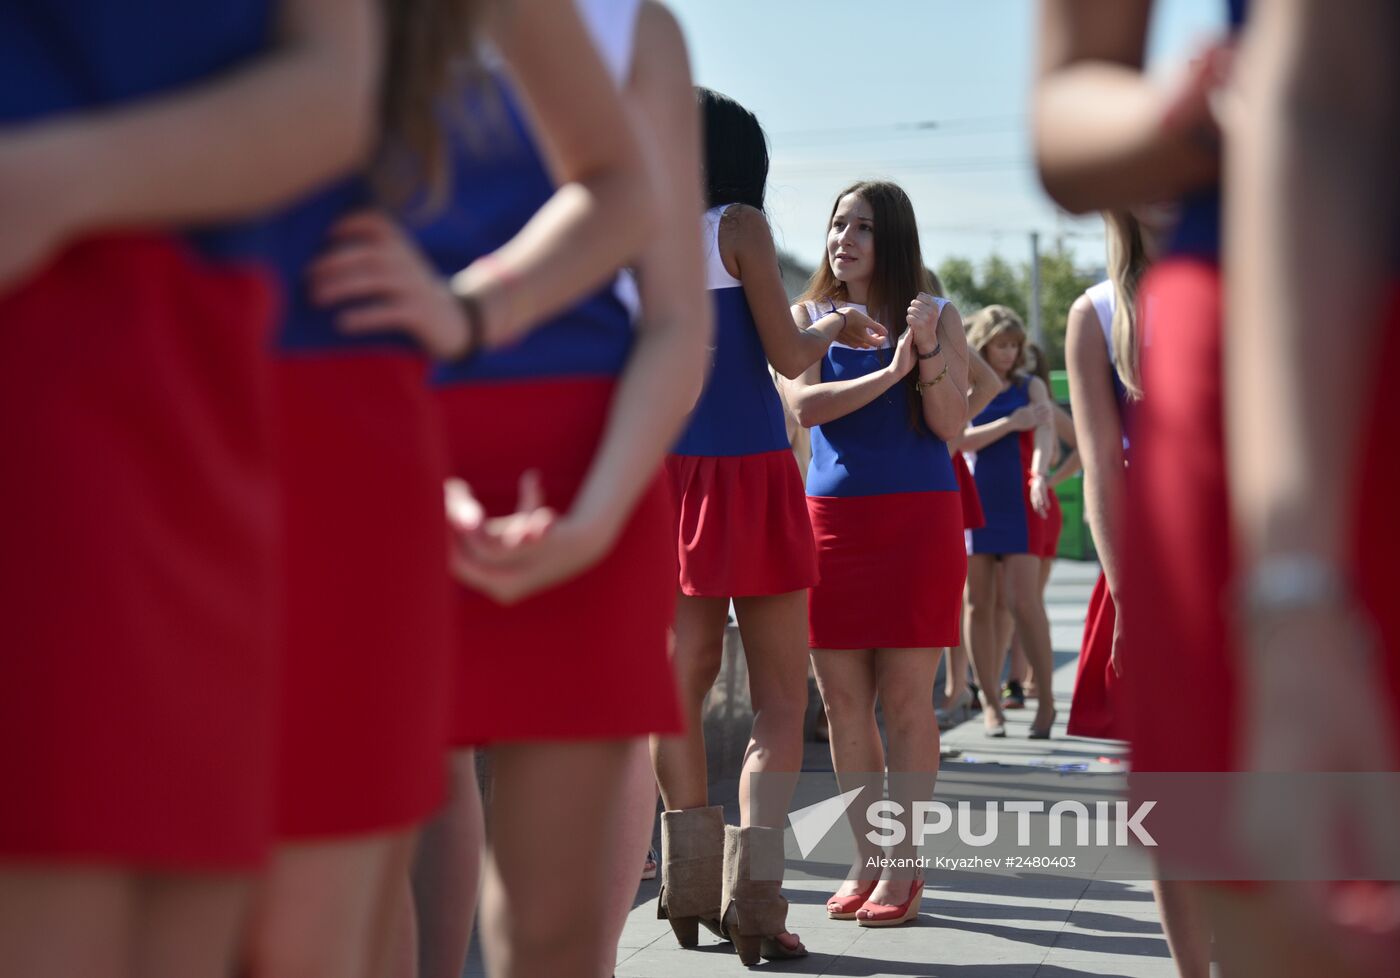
[(888, 520)]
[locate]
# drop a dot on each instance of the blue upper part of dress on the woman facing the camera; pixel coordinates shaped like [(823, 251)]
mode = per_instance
[(874, 451)]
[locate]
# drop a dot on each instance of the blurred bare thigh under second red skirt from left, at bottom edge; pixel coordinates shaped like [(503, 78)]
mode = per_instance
[(321, 910)]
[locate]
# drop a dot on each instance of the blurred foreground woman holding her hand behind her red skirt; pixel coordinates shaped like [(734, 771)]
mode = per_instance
[(558, 432)]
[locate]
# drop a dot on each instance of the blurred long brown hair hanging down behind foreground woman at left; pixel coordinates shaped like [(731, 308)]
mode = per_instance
[(430, 48)]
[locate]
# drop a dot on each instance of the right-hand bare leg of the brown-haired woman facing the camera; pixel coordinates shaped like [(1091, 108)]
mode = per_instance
[(905, 679)]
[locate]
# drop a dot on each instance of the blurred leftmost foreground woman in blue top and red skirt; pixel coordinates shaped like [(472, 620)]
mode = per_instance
[(139, 570)]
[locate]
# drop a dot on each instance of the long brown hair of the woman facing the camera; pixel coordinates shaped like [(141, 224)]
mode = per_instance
[(899, 271)]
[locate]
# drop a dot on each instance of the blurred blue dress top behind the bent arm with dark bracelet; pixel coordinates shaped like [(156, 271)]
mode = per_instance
[(499, 181)]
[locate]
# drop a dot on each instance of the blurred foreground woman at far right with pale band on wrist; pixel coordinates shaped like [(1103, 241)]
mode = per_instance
[(1308, 551)]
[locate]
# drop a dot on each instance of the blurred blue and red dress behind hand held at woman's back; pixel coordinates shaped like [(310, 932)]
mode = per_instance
[(589, 658)]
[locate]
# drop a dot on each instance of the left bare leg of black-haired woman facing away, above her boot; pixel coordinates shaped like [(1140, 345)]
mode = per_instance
[(699, 649)]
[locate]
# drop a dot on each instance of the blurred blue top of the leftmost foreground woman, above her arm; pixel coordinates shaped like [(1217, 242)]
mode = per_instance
[(66, 57)]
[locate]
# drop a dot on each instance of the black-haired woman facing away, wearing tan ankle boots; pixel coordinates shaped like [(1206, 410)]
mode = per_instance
[(744, 534)]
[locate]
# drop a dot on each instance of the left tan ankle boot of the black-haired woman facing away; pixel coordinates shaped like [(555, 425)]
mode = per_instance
[(692, 870)]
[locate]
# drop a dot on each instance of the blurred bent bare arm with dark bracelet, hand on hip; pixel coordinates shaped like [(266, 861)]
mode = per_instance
[(593, 225)]
